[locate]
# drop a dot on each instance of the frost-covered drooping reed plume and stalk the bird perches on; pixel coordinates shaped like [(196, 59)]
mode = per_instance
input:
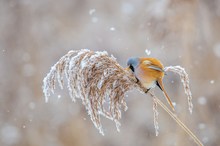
[(101, 83)]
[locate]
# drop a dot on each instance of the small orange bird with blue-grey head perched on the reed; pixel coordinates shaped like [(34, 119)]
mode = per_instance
[(149, 72)]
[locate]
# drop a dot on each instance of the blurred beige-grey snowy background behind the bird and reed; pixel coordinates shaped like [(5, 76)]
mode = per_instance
[(35, 34)]
